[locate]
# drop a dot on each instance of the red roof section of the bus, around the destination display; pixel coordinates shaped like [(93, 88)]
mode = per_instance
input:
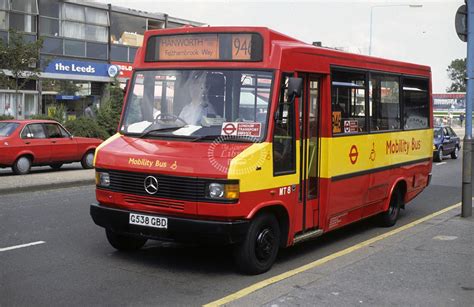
[(275, 46)]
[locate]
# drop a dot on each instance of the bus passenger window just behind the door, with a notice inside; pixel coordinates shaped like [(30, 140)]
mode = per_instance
[(348, 102)]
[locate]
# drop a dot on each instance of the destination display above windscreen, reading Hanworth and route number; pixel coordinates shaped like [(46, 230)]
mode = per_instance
[(205, 47)]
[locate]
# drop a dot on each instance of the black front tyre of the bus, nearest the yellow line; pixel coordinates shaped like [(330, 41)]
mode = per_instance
[(257, 253)]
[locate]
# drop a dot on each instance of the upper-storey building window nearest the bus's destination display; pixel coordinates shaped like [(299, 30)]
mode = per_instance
[(126, 29)]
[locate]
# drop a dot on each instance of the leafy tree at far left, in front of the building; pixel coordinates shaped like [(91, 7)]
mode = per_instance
[(21, 58)]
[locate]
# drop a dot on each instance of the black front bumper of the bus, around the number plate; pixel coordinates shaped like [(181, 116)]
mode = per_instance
[(179, 229)]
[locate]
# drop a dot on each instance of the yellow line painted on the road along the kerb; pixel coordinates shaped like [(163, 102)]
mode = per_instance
[(264, 283)]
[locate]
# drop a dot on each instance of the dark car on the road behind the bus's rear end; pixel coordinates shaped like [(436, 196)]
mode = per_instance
[(445, 142)]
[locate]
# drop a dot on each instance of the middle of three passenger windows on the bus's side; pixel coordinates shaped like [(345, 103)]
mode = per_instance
[(384, 103)]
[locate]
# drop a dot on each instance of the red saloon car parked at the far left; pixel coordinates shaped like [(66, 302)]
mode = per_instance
[(26, 143)]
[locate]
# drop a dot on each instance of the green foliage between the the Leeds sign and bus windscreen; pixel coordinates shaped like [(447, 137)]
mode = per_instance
[(108, 116)]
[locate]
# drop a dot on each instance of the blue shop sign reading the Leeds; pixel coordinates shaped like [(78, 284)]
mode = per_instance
[(69, 67)]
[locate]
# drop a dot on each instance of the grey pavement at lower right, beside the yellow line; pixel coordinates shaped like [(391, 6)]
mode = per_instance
[(428, 264)]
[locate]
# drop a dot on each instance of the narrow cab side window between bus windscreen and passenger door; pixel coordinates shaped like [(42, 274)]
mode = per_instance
[(284, 134)]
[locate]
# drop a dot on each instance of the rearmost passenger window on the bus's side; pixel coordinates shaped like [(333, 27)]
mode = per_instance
[(416, 109)]
